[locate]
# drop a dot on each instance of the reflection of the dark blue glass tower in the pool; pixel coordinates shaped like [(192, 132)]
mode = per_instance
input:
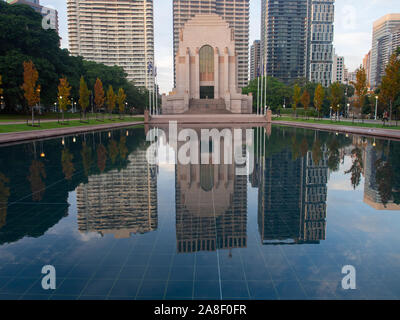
[(292, 199)]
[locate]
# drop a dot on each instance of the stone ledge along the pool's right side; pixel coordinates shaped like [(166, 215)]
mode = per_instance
[(373, 132)]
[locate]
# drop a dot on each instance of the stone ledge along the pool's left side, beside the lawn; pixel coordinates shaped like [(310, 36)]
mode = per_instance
[(14, 137)]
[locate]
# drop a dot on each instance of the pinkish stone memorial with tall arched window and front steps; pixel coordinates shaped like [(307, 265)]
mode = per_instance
[(206, 70)]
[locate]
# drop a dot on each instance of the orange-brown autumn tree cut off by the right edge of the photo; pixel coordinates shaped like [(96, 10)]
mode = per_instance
[(390, 86)]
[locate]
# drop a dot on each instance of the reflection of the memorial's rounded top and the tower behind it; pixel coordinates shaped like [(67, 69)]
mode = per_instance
[(211, 207)]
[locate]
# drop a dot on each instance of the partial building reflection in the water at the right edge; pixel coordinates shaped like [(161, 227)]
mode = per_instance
[(371, 188)]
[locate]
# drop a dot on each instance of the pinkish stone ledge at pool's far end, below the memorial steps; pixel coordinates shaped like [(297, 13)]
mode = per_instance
[(209, 119)]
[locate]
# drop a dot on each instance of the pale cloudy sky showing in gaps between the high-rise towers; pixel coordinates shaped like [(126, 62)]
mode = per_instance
[(353, 30)]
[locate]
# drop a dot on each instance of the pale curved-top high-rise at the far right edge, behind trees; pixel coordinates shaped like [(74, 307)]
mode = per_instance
[(384, 34)]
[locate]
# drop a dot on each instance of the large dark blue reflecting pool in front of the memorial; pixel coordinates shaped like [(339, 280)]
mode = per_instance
[(116, 226)]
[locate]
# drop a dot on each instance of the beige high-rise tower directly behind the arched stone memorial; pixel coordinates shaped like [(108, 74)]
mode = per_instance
[(235, 12)]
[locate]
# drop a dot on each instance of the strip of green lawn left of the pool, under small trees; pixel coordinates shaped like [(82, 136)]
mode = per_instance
[(55, 125)]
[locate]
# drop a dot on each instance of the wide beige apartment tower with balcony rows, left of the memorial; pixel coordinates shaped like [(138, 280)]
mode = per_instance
[(119, 32)]
